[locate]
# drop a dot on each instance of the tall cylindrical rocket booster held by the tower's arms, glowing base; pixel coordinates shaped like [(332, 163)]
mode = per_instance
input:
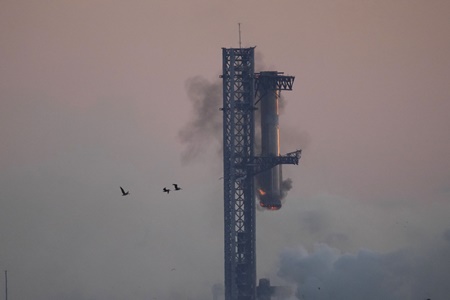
[(269, 181)]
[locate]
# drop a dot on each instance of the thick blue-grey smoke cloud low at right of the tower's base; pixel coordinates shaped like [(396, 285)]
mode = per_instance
[(327, 273)]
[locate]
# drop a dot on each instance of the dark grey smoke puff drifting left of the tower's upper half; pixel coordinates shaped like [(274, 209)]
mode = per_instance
[(205, 126)]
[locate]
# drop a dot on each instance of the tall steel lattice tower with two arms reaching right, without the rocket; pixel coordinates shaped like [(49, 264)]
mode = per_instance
[(240, 165)]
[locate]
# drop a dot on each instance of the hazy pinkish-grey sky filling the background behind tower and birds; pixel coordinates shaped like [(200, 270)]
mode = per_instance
[(96, 95)]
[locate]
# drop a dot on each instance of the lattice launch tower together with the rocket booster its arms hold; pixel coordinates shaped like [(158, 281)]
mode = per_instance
[(243, 90)]
